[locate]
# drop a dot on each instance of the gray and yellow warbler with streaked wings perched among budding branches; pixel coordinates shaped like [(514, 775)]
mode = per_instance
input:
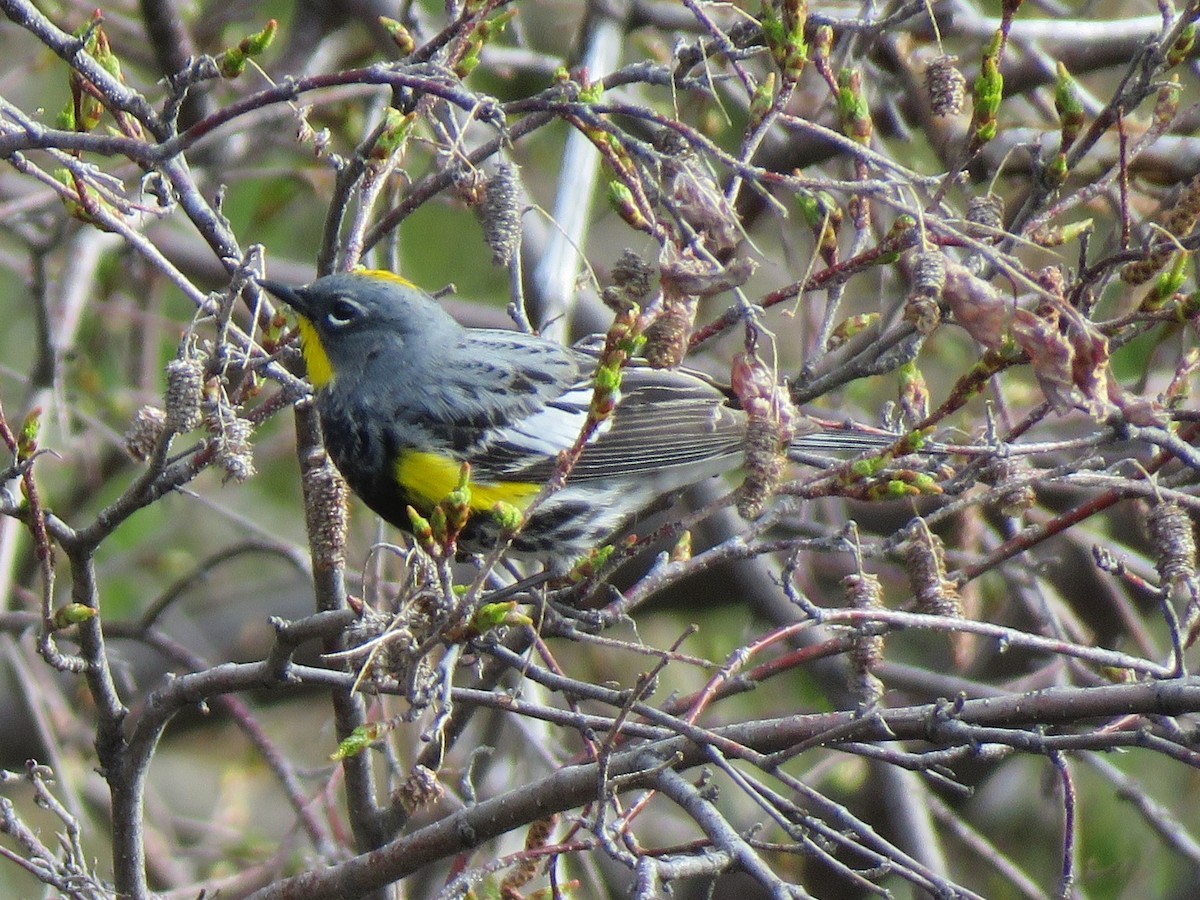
[(406, 395)]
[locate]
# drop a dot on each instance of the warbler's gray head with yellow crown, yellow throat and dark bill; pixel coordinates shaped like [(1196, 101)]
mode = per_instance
[(349, 320)]
